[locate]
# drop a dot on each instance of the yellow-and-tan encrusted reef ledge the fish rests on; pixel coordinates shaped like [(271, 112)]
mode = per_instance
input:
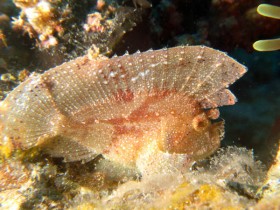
[(230, 179)]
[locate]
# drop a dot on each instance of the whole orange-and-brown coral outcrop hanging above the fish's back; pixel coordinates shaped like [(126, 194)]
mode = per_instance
[(48, 21)]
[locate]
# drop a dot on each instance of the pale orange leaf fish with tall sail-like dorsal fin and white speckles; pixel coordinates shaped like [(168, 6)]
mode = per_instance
[(140, 110)]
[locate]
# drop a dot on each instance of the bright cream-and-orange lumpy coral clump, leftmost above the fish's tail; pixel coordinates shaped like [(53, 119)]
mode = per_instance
[(42, 20)]
